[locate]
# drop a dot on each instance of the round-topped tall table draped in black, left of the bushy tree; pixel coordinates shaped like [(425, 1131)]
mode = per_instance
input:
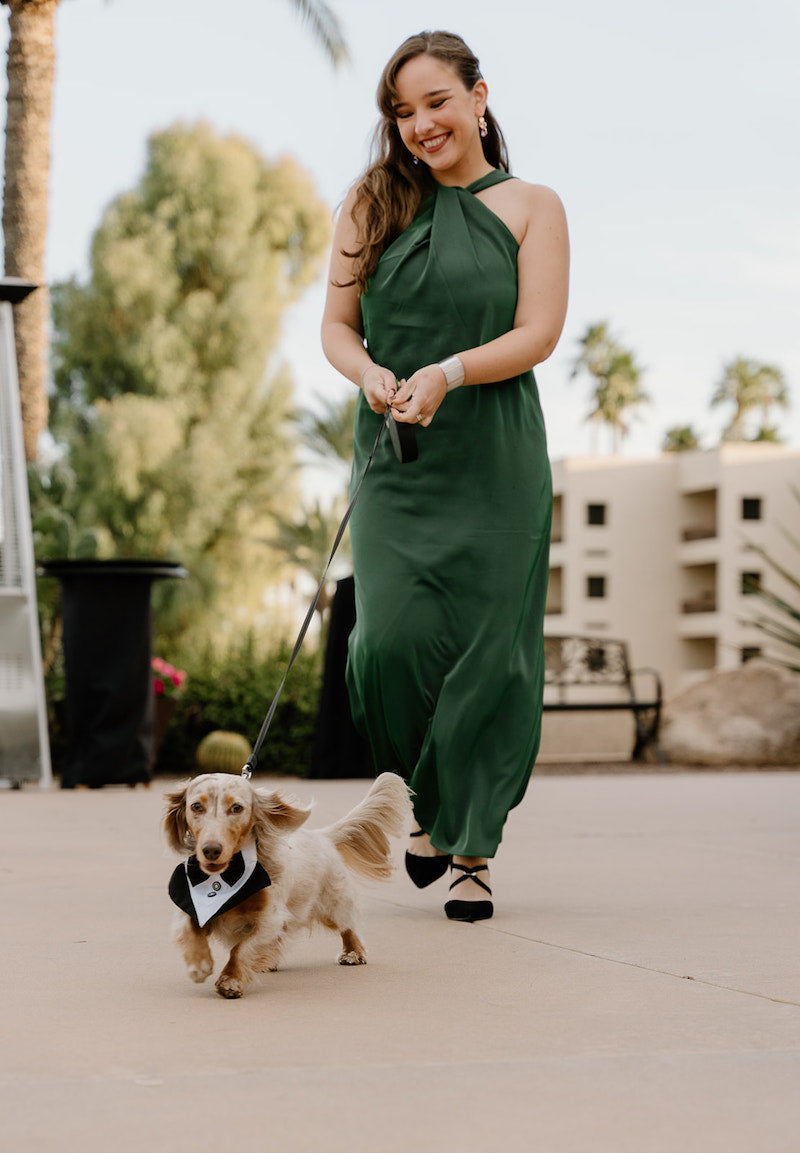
[(108, 639)]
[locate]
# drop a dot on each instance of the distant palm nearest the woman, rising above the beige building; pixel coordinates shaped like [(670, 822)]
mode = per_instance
[(616, 378)]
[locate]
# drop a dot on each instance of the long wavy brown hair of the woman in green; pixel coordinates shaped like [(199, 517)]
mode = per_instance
[(393, 190)]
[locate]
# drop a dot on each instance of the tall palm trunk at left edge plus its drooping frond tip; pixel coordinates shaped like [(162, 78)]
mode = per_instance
[(32, 65)]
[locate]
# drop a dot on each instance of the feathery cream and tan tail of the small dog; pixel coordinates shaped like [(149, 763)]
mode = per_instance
[(363, 837)]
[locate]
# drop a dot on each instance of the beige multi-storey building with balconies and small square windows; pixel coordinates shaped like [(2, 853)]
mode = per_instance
[(658, 553)]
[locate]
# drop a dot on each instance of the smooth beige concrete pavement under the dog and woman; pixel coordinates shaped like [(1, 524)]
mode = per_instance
[(637, 992)]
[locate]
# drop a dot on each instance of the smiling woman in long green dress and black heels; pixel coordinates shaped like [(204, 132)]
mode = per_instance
[(449, 284)]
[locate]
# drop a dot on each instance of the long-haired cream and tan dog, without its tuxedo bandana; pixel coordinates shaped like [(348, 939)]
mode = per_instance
[(215, 815)]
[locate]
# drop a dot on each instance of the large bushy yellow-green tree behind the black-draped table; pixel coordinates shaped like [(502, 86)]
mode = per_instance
[(179, 441)]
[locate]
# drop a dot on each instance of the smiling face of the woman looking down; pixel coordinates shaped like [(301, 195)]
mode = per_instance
[(437, 118)]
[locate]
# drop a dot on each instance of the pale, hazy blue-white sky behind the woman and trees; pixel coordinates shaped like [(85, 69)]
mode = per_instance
[(668, 127)]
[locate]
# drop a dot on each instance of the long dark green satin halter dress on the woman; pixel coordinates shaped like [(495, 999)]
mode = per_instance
[(451, 553)]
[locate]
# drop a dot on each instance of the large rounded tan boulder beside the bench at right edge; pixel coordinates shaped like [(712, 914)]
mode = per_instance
[(751, 717)]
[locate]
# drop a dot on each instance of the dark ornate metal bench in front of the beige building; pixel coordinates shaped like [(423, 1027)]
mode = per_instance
[(590, 674)]
